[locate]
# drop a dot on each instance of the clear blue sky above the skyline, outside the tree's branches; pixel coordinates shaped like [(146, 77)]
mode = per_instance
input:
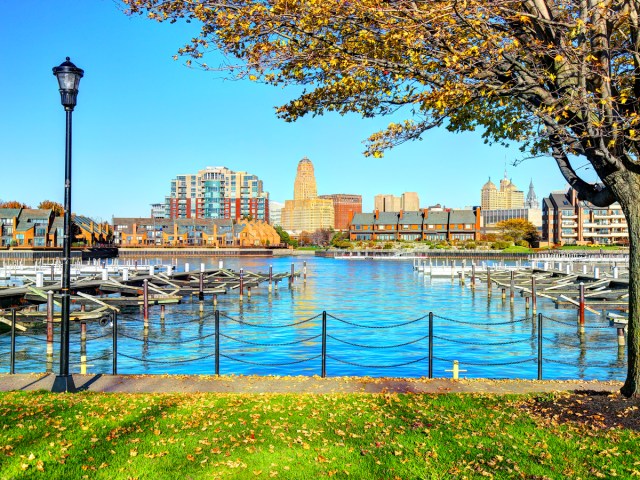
[(143, 118)]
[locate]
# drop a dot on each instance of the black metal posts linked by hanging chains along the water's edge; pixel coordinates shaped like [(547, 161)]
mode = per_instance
[(436, 339)]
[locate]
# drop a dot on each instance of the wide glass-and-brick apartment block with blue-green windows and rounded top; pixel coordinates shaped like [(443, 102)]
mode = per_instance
[(217, 192)]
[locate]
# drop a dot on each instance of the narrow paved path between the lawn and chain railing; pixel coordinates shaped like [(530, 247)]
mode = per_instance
[(273, 384)]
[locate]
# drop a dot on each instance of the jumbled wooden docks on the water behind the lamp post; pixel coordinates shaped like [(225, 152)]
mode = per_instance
[(116, 288)]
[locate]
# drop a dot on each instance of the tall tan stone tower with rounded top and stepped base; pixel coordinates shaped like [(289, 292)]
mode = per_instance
[(306, 212)]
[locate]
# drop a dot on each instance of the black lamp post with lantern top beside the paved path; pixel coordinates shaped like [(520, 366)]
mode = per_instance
[(68, 78)]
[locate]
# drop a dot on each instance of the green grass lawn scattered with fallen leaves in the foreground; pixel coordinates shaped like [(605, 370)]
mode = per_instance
[(242, 436)]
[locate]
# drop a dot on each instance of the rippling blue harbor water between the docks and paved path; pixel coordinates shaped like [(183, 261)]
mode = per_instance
[(491, 338)]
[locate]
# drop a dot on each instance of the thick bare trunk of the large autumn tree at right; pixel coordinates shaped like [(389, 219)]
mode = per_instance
[(628, 193)]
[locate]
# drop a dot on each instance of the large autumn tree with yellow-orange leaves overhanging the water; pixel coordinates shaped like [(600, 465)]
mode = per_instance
[(558, 77)]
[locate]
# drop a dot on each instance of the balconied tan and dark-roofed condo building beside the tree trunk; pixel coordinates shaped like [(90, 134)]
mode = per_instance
[(567, 220)]
